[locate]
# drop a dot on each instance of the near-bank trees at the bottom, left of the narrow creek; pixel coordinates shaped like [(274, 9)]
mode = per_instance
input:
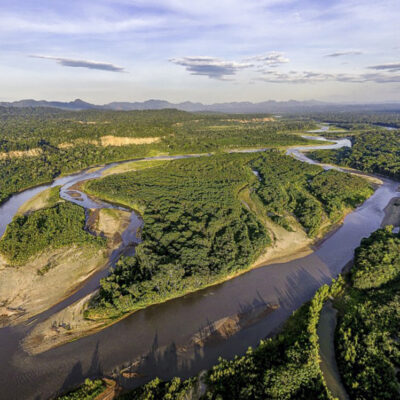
[(283, 368)]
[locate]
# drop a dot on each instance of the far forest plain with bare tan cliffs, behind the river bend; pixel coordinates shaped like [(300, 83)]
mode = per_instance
[(39, 144)]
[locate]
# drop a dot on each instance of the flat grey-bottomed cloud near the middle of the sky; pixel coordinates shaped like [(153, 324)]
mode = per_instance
[(212, 67)]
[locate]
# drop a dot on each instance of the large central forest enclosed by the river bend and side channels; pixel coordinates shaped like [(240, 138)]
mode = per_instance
[(197, 231)]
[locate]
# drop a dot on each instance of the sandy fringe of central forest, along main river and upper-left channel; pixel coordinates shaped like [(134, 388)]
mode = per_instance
[(286, 246)]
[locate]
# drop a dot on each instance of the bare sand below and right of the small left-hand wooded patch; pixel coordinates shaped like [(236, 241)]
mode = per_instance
[(55, 275)]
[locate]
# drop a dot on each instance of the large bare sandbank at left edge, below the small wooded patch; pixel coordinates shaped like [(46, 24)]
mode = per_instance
[(44, 281)]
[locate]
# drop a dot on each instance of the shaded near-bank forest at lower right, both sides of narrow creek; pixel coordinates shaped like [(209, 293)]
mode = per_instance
[(287, 366)]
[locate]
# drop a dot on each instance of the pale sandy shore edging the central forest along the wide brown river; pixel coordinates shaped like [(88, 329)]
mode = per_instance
[(71, 322)]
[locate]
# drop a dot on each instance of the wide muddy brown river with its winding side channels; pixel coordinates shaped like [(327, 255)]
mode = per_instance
[(156, 337)]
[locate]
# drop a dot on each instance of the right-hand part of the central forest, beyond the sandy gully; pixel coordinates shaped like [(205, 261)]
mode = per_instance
[(289, 187)]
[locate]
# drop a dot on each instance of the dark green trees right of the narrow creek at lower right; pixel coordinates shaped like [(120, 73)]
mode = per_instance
[(368, 349)]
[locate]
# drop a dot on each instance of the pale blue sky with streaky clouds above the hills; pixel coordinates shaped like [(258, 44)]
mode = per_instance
[(209, 51)]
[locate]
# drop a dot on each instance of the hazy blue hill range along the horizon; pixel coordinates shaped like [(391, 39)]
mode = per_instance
[(271, 106)]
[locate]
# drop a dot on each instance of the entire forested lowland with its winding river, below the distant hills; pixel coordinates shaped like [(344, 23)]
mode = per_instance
[(174, 255)]
